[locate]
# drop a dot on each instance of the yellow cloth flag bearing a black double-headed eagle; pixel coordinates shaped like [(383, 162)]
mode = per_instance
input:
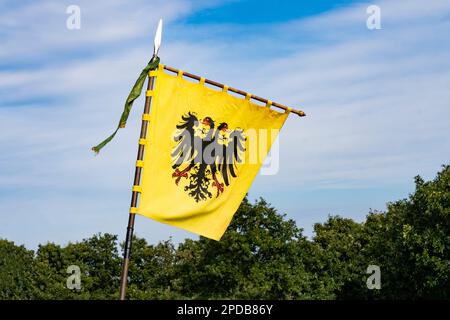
[(203, 149)]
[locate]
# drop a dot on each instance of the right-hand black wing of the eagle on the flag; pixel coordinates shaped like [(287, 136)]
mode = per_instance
[(231, 155)]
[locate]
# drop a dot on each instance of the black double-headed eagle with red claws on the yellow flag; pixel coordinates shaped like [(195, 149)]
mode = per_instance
[(207, 152)]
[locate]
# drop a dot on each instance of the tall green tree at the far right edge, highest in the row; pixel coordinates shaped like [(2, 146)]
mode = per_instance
[(413, 242)]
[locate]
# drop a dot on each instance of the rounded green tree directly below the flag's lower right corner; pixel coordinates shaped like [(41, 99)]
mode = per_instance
[(261, 256)]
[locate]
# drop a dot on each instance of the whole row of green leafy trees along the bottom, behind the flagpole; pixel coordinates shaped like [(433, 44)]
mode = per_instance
[(262, 255)]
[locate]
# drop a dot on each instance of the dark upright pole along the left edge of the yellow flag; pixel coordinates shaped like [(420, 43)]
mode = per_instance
[(134, 197)]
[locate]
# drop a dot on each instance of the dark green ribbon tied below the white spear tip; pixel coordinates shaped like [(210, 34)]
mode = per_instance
[(134, 94)]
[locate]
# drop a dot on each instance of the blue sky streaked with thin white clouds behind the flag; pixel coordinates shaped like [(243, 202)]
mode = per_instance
[(377, 104)]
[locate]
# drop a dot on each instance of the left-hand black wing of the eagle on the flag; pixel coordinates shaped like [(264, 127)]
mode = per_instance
[(184, 150)]
